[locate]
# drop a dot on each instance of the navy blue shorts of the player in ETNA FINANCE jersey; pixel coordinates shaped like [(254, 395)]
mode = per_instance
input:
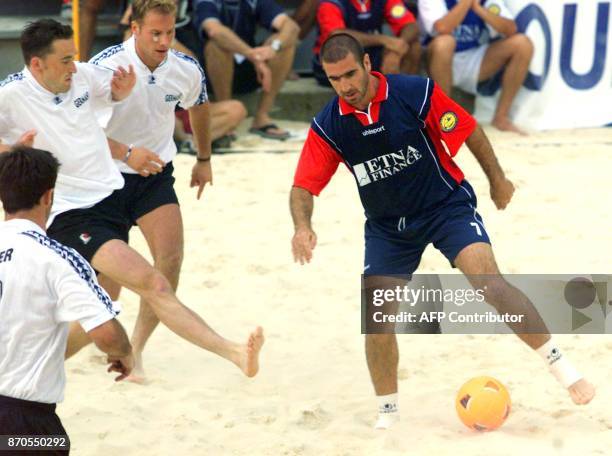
[(395, 245)]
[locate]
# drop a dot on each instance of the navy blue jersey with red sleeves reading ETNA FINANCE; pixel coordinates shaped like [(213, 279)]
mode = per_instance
[(399, 150)]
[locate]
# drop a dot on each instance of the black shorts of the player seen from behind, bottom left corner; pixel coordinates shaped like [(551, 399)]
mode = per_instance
[(27, 418)]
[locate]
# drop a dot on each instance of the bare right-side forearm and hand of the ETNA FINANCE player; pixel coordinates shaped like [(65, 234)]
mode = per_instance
[(502, 189)]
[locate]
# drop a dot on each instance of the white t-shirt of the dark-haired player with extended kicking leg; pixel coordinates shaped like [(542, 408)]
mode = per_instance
[(67, 127)]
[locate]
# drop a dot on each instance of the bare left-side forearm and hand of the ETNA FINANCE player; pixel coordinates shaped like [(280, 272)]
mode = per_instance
[(304, 240)]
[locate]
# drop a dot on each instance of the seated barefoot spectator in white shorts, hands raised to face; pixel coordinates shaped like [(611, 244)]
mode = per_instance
[(456, 31)]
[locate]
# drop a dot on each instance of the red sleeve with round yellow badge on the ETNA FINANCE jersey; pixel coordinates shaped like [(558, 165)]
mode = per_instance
[(448, 121)]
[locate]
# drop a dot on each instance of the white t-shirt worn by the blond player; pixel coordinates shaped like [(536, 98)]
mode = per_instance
[(146, 118)]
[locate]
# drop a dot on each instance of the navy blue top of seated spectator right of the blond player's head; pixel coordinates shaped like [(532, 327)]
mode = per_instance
[(242, 16)]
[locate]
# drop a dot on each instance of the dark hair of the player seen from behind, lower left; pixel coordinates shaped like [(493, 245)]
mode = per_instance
[(25, 175)]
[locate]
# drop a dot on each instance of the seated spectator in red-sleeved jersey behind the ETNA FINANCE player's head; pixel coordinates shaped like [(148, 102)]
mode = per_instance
[(364, 20)]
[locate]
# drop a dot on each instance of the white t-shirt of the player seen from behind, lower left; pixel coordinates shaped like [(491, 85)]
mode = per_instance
[(43, 286)]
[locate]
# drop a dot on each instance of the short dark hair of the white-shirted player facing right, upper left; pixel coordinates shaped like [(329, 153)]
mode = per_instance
[(37, 37)]
